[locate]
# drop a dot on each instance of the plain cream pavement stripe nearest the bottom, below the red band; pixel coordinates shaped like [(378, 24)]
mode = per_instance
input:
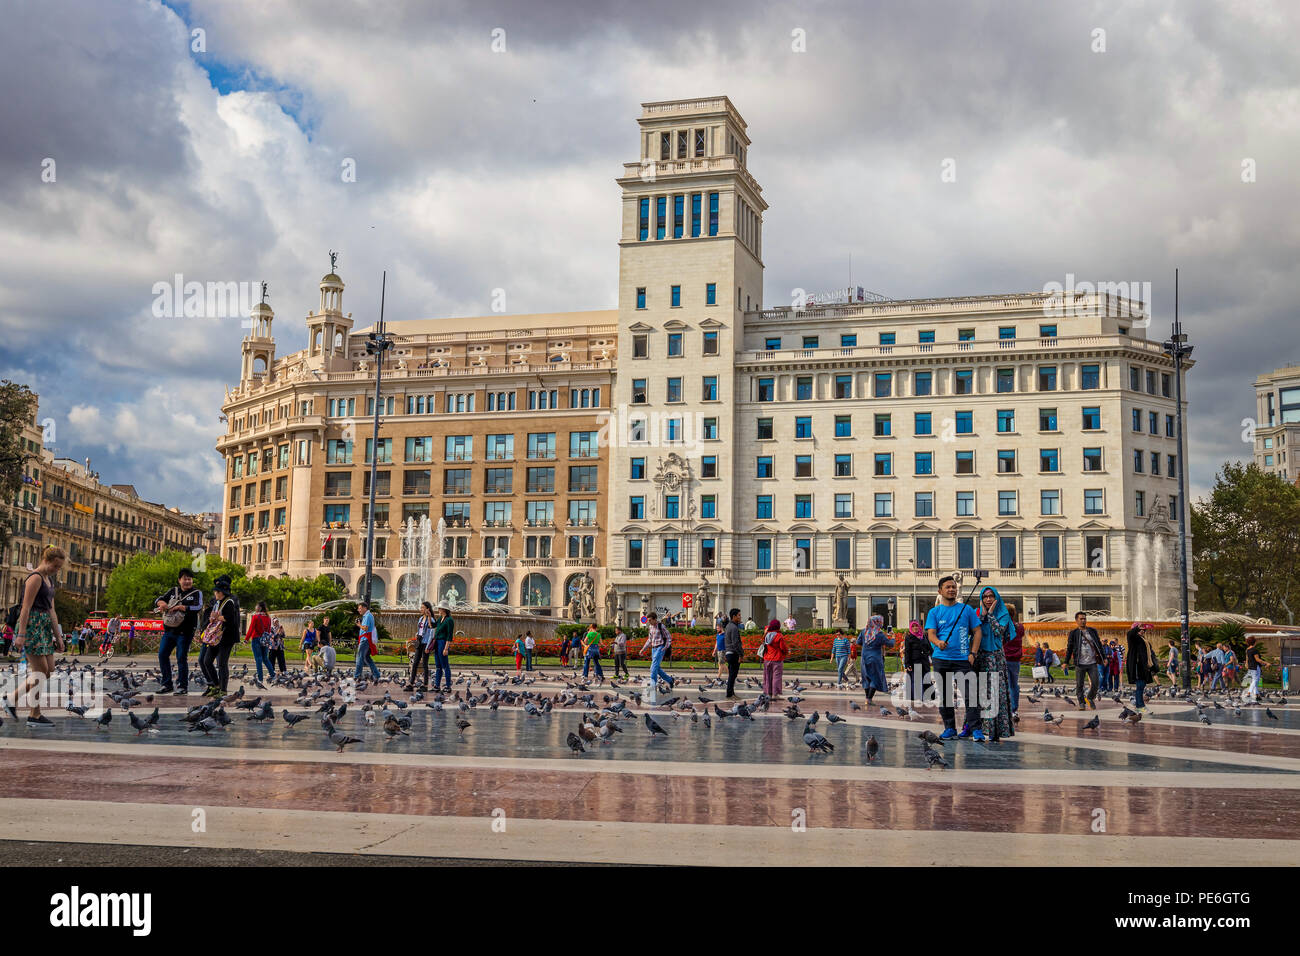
[(473, 838)]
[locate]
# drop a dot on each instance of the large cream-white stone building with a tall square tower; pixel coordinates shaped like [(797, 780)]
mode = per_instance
[(774, 453)]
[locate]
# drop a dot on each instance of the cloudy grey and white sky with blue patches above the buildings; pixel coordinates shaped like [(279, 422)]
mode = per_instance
[(220, 157)]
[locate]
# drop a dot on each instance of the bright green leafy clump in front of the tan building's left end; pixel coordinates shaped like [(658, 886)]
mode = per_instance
[(135, 585)]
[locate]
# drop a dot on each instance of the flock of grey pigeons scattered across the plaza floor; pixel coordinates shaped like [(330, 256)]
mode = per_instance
[(599, 723)]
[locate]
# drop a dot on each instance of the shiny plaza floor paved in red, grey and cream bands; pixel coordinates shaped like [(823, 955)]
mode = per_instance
[(723, 791)]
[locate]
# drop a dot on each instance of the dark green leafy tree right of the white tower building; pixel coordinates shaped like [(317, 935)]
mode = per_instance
[(1247, 546)]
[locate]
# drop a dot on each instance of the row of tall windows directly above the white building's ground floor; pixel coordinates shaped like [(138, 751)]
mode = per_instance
[(883, 552)]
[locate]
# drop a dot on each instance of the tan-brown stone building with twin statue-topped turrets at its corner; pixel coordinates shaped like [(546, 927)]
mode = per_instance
[(488, 427)]
